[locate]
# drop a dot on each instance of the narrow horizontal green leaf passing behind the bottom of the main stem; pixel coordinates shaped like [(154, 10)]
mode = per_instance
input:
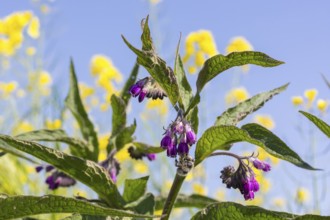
[(184, 201)]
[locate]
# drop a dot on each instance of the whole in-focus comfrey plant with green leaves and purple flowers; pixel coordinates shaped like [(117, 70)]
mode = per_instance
[(81, 164)]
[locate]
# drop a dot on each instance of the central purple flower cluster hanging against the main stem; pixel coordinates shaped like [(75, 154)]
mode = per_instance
[(179, 136)]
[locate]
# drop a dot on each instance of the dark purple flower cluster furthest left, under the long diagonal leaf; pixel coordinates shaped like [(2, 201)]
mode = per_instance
[(57, 178)]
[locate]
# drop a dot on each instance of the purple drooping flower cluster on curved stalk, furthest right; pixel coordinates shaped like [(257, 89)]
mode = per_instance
[(244, 178)]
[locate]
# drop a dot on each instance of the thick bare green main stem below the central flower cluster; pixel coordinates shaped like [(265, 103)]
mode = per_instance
[(176, 186)]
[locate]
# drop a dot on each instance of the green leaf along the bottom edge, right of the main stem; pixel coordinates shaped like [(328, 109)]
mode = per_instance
[(235, 211)]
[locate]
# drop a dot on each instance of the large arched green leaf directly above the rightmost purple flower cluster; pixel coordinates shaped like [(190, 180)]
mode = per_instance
[(221, 137)]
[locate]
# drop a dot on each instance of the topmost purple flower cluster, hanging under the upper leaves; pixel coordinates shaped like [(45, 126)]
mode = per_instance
[(147, 87)]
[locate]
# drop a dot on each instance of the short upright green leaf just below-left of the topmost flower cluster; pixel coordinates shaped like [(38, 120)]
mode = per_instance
[(118, 114)]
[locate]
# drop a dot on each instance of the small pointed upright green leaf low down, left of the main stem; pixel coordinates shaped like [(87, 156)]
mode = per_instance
[(135, 188)]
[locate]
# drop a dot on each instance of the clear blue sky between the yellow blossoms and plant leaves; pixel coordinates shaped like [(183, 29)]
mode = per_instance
[(296, 32)]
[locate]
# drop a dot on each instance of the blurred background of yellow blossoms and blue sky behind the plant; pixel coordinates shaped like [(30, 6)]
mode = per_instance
[(44, 35)]
